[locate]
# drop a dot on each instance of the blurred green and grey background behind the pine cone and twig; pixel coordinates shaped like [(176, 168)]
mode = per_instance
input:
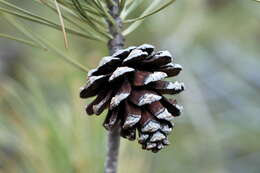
[(43, 126)]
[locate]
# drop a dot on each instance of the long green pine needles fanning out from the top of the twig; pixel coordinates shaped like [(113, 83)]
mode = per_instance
[(89, 19)]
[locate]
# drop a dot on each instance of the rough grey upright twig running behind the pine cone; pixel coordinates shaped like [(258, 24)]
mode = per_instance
[(116, 43)]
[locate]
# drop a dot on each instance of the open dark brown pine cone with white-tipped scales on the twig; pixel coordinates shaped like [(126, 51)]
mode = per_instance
[(130, 84)]
